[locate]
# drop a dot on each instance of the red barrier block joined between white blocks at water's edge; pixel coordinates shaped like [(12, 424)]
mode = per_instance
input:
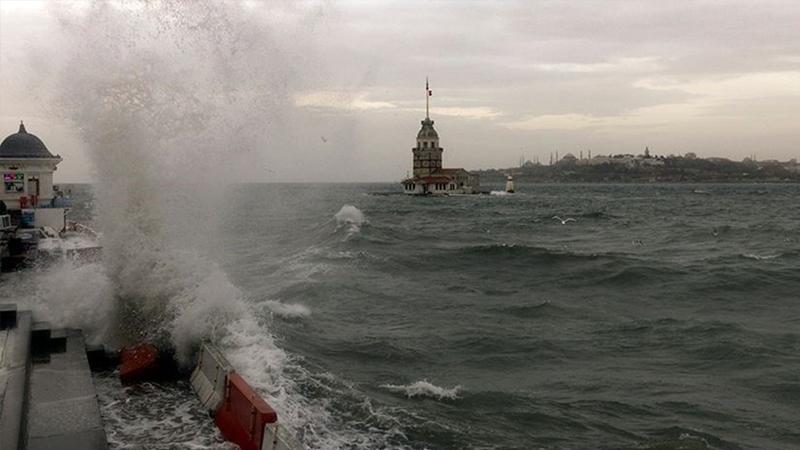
[(243, 413)]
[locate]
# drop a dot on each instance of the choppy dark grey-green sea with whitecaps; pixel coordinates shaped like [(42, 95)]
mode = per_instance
[(660, 317)]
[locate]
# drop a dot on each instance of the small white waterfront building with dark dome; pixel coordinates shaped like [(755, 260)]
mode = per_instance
[(27, 166)]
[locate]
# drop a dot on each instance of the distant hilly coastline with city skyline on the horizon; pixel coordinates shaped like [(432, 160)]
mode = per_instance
[(626, 168)]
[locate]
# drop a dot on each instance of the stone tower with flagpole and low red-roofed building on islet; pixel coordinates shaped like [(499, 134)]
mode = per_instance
[(429, 175)]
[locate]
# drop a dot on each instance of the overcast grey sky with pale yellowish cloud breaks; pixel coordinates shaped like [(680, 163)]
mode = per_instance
[(718, 78)]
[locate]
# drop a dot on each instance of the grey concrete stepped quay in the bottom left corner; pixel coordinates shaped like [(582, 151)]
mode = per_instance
[(47, 398)]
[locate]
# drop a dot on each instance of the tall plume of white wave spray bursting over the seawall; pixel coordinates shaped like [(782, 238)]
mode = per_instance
[(172, 100)]
